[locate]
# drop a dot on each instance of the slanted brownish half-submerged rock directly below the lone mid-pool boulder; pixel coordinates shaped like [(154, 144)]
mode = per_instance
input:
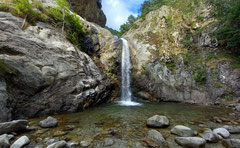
[(157, 137)]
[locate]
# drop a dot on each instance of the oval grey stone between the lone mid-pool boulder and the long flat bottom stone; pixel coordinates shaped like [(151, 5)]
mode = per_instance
[(182, 131)]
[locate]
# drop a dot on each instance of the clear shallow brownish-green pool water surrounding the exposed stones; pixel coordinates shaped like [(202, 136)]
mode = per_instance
[(96, 124)]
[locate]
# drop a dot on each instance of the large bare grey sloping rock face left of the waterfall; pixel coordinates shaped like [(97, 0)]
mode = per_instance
[(50, 74)]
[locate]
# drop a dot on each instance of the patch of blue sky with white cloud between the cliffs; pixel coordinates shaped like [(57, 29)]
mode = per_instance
[(117, 11)]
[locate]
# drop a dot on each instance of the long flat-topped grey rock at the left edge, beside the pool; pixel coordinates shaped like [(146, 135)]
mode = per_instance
[(13, 126)]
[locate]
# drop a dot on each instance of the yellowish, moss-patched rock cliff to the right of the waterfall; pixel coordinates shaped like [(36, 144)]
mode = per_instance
[(175, 58)]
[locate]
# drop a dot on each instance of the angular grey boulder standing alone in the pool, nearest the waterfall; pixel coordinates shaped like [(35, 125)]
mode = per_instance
[(158, 121)]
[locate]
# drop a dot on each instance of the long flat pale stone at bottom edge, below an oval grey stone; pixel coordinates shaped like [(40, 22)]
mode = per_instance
[(190, 142)]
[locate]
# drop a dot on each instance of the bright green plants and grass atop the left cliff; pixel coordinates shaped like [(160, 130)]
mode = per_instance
[(60, 17)]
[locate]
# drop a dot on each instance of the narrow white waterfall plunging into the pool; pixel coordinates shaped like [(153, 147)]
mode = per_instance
[(126, 95)]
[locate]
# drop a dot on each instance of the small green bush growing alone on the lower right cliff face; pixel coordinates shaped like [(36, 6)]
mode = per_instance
[(200, 75)]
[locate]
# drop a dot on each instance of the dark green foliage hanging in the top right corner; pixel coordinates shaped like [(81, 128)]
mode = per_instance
[(228, 13)]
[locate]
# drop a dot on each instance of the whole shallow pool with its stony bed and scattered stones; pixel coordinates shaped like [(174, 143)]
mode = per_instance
[(149, 125)]
